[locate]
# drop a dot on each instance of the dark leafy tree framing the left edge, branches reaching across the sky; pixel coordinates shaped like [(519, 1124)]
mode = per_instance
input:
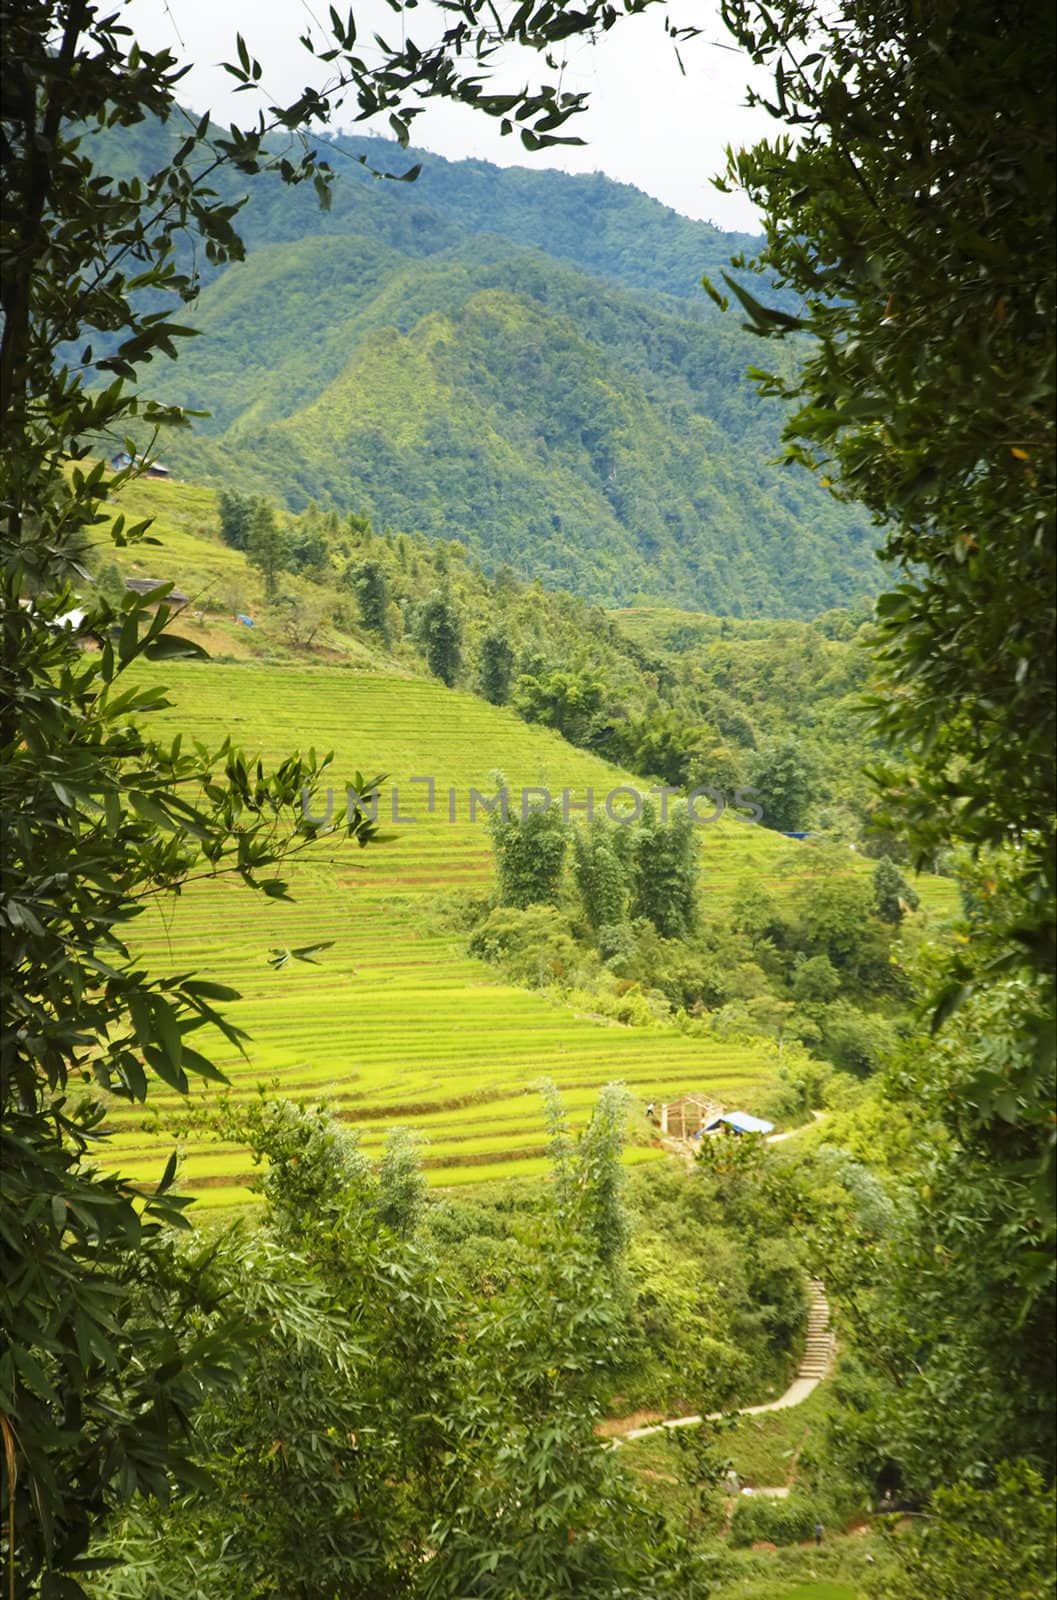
[(102, 1370)]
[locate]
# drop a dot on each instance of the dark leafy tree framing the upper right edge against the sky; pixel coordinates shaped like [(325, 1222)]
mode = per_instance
[(895, 223)]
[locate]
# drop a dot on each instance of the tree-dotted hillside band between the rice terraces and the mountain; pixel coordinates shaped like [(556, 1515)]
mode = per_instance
[(682, 698)]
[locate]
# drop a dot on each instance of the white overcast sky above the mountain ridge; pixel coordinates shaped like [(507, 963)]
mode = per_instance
[(648, 126)]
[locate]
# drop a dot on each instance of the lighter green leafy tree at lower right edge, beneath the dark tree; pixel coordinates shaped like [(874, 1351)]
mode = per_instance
[(965, 1390)]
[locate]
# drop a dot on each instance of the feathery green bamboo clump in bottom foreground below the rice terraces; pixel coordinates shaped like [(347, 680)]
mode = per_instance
[(393, 1436)]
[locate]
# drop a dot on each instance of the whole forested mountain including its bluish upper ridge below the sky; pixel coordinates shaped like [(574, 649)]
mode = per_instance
[(388, 358)]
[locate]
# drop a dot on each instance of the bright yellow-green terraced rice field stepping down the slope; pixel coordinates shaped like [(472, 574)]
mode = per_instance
[(397, 1025)]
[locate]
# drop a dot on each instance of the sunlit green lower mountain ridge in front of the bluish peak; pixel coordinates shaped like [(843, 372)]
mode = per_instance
[(552, 425)]
